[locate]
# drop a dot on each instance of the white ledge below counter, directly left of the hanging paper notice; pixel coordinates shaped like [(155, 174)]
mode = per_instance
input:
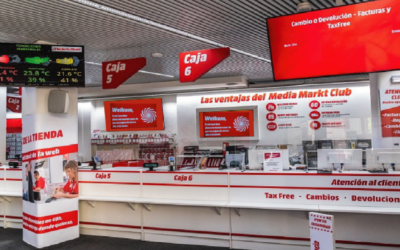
[(272, 206)]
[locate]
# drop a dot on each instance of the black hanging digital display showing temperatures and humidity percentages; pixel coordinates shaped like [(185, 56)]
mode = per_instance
[(35, 65)]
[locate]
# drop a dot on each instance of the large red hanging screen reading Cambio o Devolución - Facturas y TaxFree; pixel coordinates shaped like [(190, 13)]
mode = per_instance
[(359, 38)]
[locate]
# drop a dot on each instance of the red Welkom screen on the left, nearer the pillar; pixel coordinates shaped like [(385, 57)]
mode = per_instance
[(134, 115)]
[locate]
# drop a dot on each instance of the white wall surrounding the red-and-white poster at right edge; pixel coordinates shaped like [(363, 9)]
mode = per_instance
[(381, 81)]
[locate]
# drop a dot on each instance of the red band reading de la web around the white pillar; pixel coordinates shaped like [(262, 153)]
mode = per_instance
[(49, 152)]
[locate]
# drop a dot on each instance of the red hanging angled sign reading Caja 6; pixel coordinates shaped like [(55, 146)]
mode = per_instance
[(194, 64)]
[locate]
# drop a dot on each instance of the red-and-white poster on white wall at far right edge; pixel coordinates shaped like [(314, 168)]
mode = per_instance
[(390, 112)]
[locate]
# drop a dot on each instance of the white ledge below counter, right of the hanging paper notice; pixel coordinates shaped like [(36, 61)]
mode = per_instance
[(364, 210)]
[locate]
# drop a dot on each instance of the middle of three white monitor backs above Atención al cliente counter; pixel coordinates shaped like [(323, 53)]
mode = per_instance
[(339, 159)]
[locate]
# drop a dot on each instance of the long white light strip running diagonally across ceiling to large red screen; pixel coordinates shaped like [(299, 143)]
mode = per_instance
[(164, 27)]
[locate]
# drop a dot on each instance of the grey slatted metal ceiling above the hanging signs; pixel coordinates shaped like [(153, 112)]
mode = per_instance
[(106, 35)]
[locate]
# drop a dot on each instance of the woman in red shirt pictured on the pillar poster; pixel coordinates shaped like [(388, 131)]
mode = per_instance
[(71, 188)]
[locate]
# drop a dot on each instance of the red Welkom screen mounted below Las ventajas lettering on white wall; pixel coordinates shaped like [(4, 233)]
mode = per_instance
[(228, 123)]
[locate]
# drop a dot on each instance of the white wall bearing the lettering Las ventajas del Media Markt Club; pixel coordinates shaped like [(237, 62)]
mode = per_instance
[(357, 123)]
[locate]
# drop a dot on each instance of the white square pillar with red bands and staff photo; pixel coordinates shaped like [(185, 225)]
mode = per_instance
[(50, 177)]
